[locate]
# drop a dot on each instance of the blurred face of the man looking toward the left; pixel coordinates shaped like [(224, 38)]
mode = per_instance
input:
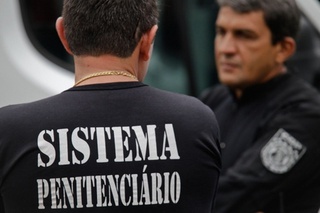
[(243, 49)]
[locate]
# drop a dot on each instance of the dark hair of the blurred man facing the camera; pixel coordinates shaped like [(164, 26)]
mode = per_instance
[(281, 16)]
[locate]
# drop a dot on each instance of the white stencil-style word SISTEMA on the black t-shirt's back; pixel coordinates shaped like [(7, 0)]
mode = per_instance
[(77, 146)]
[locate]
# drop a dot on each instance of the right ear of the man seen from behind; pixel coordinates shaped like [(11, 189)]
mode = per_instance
[(147, 41)]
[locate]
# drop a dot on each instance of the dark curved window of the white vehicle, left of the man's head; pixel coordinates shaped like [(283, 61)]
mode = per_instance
[(39, 20)]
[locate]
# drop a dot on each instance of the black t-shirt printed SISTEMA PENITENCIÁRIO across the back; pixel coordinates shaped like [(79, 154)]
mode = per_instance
[(119, 147)]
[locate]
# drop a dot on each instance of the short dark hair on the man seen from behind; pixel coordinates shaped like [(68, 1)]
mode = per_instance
[(97, 27)]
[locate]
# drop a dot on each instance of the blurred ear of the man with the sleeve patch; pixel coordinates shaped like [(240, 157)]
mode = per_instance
[(286, 49)]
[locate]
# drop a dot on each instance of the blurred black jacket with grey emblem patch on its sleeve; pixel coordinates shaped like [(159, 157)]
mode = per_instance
[(270, 142)]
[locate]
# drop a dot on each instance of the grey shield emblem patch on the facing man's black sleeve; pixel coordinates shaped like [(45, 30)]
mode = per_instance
[(282, 152)]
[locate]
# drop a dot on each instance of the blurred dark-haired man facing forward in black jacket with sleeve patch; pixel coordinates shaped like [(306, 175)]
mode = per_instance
[(269, 118)]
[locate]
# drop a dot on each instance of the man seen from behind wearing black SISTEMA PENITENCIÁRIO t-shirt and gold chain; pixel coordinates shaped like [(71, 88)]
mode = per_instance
[(110, 143)]
